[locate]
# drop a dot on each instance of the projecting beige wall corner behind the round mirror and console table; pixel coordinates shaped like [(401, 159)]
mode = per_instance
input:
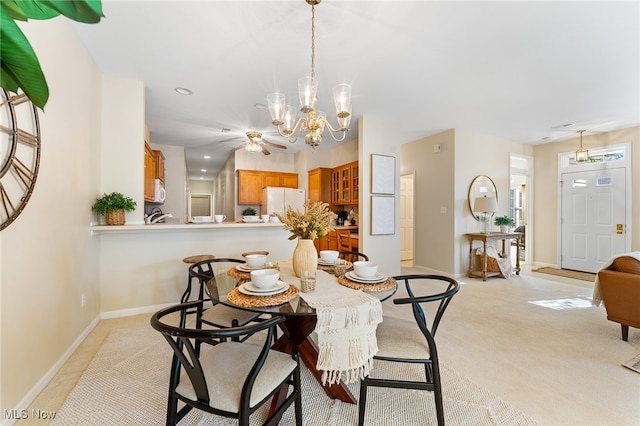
[(442, 182)]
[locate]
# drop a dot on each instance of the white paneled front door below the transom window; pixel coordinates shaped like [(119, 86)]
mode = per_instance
[(593, 218)]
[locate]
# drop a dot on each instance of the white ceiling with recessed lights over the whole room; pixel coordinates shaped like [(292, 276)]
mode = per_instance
[(511, 70)]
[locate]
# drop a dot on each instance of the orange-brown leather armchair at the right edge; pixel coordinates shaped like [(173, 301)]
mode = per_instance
[(619, 286)]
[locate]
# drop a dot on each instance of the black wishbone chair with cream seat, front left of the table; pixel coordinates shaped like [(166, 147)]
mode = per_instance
[(212, 372)]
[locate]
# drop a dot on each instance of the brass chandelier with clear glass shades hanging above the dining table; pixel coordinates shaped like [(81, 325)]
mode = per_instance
[(313, 122)]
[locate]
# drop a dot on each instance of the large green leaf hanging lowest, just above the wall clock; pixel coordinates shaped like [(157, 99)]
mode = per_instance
[(19, 63)]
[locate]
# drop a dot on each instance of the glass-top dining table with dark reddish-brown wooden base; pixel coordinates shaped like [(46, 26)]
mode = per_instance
[(300, 318)]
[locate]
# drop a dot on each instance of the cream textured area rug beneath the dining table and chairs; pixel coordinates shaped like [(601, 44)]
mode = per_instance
[(127, 383)]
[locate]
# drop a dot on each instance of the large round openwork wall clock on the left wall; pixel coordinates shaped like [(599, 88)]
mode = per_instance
[(19, 154)]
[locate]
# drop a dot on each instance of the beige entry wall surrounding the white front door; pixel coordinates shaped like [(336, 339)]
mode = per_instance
[(545, 196)]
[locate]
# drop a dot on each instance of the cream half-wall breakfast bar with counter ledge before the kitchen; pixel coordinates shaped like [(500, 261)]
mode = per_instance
[(141, 268)]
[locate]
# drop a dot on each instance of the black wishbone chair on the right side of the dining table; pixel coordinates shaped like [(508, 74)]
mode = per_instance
[(407, 341)]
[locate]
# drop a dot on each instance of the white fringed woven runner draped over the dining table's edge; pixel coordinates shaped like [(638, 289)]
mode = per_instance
[(346, 326)]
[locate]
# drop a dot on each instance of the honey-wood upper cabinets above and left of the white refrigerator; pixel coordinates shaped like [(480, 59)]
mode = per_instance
[(251, 182)]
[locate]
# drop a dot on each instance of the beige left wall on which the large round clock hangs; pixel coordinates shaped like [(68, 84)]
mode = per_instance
[(48, 255)]
